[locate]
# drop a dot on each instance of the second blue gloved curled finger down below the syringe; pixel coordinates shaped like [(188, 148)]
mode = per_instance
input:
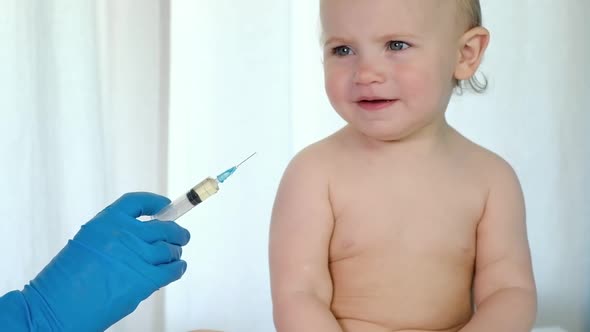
[(153, 253)]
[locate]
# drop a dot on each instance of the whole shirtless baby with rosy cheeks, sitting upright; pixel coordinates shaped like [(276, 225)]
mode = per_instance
[(397, 222)]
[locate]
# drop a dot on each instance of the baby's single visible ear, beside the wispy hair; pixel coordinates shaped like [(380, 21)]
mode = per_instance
[(472, 45)]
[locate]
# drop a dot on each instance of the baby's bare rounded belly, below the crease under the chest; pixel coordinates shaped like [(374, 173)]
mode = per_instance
[(402, 291)]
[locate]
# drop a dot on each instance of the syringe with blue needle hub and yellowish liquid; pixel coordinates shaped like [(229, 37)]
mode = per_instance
[(195, 195)]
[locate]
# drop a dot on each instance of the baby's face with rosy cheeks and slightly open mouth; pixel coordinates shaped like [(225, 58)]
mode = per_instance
[(389, 64)]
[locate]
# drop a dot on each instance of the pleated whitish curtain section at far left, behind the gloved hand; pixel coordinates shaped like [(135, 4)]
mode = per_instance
[(81, 109)]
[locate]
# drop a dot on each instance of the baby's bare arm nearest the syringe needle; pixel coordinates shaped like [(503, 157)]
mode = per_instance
[(300, 233)]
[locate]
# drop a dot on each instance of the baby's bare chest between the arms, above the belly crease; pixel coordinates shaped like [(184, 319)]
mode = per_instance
[(413, 213)]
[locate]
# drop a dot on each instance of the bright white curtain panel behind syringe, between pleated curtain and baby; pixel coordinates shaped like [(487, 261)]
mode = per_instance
[(229, 97)]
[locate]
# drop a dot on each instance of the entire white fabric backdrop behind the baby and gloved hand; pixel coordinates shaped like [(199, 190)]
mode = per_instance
[(82, 109)]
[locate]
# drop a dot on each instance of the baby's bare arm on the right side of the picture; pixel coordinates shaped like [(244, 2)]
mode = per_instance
[(504, 286)]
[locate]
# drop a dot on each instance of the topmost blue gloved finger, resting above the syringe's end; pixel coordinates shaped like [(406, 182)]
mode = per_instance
[(140, 204)]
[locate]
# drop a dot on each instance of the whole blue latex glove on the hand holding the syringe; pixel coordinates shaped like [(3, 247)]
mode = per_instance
[(112, 264)]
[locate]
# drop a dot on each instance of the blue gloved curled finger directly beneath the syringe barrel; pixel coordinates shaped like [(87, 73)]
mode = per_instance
[(168, 231)]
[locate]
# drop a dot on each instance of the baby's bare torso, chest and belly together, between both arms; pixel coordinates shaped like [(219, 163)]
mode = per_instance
[(403, 247)]
